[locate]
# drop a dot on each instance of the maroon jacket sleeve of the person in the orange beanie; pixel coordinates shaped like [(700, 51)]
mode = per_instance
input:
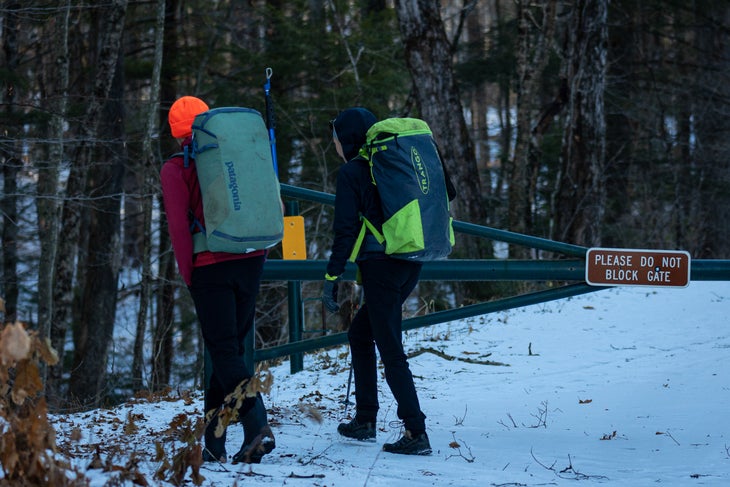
[(176, 197)]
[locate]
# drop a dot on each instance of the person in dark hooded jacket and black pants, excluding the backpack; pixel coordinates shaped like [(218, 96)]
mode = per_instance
[(386, 281)]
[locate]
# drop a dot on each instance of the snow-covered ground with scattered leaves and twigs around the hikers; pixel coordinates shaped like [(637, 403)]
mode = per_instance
[(624, 386)]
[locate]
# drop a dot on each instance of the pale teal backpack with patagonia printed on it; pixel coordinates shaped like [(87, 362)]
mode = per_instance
[(238, 182)]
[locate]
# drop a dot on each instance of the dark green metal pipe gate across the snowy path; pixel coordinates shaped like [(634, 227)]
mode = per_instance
[(295, 271)]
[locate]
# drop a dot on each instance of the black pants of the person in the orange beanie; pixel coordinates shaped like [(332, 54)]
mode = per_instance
[(225, 302)]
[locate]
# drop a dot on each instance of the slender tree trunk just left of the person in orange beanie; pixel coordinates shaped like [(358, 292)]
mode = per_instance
[(150, 156)]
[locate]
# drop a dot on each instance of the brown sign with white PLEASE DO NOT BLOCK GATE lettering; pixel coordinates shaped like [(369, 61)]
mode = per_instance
[(632, 267)]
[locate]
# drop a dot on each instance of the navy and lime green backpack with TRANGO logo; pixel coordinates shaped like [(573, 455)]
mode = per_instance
[(406, 169)]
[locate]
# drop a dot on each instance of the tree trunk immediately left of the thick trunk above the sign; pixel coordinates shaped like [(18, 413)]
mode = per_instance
[(532, 57)]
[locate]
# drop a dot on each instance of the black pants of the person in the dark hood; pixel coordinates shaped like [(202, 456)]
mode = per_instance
[(386, 283)]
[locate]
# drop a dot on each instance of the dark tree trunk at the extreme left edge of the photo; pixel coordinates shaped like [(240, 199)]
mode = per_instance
[(11, 167)]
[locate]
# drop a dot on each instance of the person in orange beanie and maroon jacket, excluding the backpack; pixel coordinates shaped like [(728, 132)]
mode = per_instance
[(224, 287)]
